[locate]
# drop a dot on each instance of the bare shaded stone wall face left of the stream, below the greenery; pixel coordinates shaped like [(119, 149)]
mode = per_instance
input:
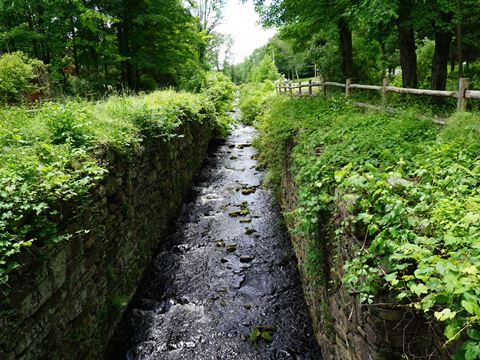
[(67, 299)]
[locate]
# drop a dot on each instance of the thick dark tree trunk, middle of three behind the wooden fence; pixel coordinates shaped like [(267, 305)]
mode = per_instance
[(406, 43)]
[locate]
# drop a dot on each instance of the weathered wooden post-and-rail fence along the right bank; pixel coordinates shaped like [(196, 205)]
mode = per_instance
[(462, 94)]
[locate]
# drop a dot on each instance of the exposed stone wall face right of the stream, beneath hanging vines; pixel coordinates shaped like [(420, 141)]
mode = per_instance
[(345, 328)]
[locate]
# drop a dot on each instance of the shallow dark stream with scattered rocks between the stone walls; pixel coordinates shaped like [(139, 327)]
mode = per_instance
[(225, 284)]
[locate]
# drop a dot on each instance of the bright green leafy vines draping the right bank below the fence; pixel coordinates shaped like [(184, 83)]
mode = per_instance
[(403, 190)]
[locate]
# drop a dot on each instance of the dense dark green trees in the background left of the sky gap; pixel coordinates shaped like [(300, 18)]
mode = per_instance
[(96, 45)]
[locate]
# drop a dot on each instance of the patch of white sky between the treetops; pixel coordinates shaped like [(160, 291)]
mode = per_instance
[(241, 21)]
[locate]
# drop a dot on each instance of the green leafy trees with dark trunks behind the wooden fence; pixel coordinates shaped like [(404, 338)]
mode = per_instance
[(362, 40)]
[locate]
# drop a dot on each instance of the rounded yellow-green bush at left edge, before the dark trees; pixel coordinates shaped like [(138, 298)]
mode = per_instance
[(16, 77)]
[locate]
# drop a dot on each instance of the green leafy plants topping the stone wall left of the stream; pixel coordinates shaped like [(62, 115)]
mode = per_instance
[(54, 154)]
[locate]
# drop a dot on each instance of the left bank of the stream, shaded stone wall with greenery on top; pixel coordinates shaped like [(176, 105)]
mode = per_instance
[(89, 190)]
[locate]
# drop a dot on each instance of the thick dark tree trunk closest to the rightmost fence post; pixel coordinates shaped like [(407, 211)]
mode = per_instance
[(440, 59)]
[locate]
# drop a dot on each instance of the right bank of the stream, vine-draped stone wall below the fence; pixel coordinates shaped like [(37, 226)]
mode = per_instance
[(383, 210)]
